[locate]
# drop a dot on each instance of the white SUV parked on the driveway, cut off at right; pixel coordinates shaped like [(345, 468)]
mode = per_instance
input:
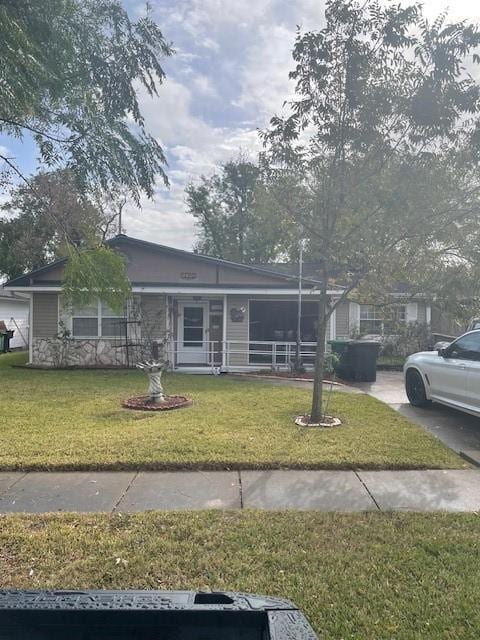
[(450, 375)]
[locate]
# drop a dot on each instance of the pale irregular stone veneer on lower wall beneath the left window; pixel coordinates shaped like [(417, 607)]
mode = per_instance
[(57, 352)]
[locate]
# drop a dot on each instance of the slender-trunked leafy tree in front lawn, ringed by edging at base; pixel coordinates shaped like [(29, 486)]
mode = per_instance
[(384, 121)]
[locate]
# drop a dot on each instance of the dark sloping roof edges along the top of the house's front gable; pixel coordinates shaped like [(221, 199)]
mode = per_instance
[(124, 240)]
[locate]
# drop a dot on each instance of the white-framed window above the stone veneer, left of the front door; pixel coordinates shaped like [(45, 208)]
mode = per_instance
[(97, 320)]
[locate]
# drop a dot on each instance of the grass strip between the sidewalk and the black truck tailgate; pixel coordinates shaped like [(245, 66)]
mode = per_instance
[(381, 576)]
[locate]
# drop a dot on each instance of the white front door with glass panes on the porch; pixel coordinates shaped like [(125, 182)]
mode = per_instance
[(192, 342)]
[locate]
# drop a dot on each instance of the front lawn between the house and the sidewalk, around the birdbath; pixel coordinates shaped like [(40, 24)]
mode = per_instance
[(66, 420)]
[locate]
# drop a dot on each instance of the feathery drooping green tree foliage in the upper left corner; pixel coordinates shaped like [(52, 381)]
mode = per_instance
[(70, 74)]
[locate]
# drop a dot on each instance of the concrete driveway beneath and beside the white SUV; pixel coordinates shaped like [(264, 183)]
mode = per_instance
[(459, 431)]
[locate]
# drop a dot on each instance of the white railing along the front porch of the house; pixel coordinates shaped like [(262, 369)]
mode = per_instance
[(239, 354)]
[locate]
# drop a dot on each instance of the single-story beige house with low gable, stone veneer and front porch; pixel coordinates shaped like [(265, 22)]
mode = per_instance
[(208, 313)]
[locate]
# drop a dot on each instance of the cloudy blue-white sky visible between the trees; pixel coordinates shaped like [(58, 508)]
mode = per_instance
[(229, 76)]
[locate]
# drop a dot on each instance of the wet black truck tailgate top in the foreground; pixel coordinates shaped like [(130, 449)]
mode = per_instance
[(148, 615)]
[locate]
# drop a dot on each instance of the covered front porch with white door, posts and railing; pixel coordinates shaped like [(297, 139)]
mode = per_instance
[(236, 333)]
